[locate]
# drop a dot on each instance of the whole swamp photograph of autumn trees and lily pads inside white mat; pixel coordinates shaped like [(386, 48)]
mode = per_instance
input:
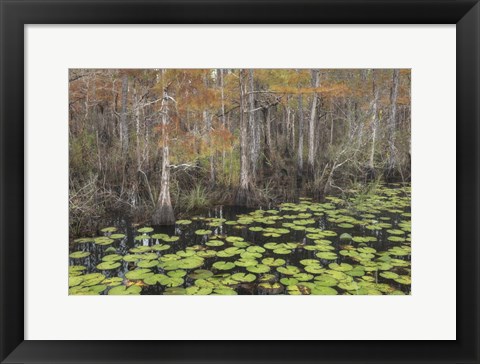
[(239, 182)]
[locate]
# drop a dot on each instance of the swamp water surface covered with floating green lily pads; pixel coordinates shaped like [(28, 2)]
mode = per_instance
[(355, 245)]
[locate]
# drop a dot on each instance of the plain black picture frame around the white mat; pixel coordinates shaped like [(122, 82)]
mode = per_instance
[(15, 14)]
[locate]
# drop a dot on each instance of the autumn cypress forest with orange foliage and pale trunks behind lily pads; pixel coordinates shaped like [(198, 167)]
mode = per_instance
[(157, 144)]
